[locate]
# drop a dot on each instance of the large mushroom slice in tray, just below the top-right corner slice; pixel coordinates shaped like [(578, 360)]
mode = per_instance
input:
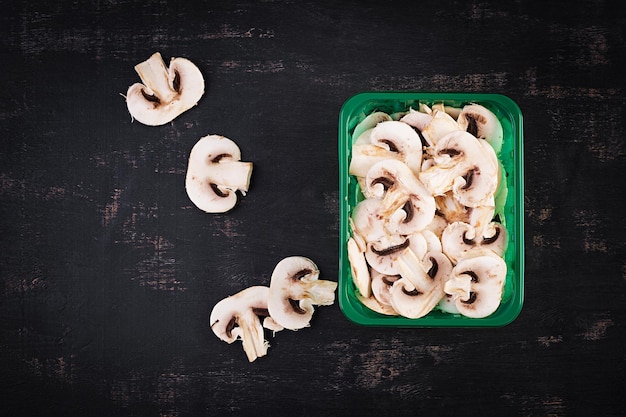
[(464, 166)]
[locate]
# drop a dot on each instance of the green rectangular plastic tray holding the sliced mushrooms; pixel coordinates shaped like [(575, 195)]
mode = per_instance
[(354, 110)]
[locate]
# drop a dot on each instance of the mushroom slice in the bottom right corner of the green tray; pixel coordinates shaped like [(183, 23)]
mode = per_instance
[(476, 283)]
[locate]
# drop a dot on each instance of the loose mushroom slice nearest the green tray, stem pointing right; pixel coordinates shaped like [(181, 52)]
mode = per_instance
[(295, 289)]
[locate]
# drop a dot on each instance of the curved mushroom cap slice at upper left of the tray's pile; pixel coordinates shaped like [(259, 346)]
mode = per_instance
[(400, 138)]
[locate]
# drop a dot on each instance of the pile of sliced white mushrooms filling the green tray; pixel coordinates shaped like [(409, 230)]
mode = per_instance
[(426, 236)]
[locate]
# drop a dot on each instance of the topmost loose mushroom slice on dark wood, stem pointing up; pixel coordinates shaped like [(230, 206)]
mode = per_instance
[(165, 92)]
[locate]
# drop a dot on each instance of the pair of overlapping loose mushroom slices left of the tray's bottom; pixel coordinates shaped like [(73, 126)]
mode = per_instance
[(288, 303)]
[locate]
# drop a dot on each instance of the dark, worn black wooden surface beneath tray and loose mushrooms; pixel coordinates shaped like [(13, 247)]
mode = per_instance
[(108, 272)]
